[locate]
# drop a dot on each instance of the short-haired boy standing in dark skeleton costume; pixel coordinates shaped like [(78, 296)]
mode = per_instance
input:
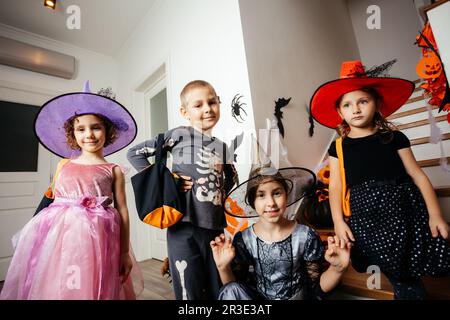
[(205, 168)]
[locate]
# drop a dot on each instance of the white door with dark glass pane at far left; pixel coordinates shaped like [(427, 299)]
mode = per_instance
[(22, 183)]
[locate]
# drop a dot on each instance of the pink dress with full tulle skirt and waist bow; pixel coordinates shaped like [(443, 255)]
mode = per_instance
[(71, 249)]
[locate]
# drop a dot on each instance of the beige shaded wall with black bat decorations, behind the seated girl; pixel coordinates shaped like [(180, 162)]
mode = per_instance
[(292, 47)]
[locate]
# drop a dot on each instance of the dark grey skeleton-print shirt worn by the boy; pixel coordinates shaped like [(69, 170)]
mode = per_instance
[(207, 161)]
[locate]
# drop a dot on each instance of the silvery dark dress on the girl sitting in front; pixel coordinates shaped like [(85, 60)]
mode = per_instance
[(282, 270)]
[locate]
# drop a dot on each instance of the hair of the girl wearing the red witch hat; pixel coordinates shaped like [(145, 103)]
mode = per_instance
[(383, 125)]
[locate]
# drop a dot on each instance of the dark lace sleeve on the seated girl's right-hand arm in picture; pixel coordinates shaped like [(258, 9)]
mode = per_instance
[(314, 265)]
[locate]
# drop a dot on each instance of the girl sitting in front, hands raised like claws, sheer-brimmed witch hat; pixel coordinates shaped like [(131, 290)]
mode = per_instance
[(275, 258)]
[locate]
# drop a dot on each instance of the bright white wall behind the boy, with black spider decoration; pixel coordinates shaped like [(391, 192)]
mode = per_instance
[(196, 39)]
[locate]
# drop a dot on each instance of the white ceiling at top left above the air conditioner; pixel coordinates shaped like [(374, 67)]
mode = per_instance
[(105, 24)]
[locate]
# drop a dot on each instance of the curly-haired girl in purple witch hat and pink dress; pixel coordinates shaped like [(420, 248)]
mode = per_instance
[(78, 247)]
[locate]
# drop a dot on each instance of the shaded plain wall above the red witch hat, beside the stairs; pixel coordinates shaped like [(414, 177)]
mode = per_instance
[(400, 24)]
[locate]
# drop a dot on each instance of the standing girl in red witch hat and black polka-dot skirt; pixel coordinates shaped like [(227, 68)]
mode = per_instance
[(395, 222)]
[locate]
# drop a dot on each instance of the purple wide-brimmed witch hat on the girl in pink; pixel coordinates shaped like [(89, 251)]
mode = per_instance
[(49, 122)]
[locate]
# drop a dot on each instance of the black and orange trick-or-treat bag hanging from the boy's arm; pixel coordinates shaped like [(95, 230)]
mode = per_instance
[(156, 192)]
